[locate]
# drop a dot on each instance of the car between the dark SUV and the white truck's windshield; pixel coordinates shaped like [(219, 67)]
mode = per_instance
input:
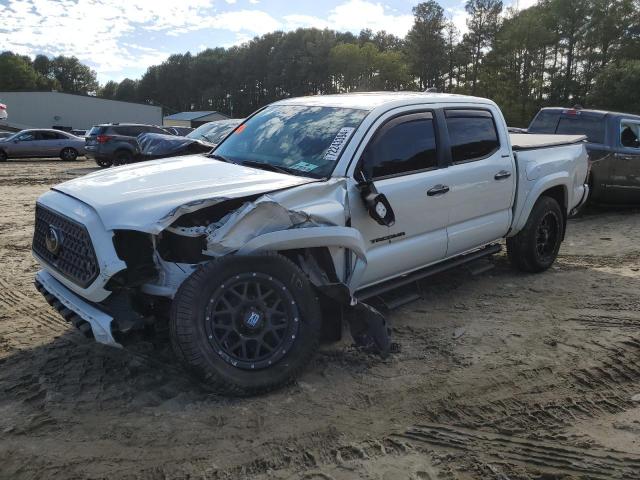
[(203, 139)]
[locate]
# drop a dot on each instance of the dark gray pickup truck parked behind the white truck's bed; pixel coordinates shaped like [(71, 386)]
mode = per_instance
[(613, 147)]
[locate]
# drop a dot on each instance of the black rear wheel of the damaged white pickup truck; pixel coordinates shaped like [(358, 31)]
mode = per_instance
[(535, 248)]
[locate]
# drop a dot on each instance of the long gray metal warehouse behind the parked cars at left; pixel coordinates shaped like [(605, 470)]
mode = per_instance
[(68, 111)]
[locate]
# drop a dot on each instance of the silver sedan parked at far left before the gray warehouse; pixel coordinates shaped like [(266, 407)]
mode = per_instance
[(41, 143)]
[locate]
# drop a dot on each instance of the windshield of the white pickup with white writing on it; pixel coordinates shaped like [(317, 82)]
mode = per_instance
[(304, 140)]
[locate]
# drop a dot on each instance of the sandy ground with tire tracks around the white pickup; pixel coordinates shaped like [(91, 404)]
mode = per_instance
[(501, 375)]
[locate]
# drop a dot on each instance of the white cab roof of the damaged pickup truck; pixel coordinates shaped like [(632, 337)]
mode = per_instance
[(372, 100)]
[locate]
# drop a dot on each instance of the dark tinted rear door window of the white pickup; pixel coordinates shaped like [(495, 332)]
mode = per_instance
[(472, 137)]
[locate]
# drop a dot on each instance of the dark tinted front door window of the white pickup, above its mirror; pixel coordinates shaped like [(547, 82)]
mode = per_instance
[(402, 147)]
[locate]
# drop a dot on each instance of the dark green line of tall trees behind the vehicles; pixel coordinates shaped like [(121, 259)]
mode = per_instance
[(558, 52)]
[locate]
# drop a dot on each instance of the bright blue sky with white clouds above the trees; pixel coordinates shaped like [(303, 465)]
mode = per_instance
[(121, 38)]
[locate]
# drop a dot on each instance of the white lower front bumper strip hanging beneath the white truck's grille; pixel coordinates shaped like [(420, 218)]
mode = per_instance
[(75, 309)]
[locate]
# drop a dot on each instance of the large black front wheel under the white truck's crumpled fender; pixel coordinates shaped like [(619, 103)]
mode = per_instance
[(246, 324)]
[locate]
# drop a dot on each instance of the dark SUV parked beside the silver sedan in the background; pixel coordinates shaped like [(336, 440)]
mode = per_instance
[(116, 143)]
